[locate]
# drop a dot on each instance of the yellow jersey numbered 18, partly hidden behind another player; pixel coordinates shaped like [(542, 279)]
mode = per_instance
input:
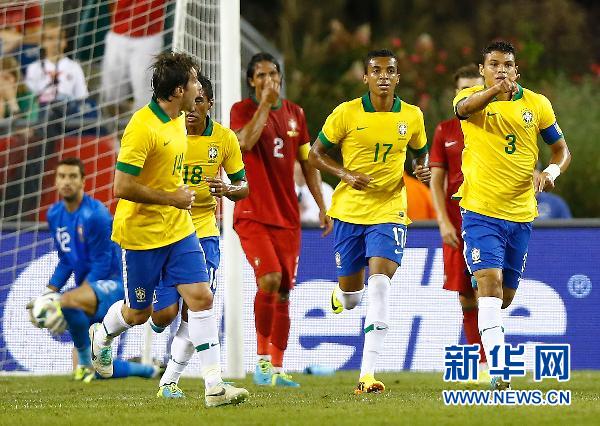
[(217, 146)]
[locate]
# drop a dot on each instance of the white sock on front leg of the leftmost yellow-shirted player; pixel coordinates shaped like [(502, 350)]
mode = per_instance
[(205, 338)]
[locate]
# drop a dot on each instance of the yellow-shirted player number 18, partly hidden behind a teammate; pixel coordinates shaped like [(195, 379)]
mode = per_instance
[(210, 147)]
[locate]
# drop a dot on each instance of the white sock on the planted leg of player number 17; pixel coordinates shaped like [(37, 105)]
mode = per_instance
[(376, 322)]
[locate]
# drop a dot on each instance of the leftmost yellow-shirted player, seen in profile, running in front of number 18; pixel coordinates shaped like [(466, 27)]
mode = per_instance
[(153, 226)]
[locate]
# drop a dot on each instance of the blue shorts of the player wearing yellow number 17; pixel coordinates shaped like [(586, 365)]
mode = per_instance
[(354, 244)]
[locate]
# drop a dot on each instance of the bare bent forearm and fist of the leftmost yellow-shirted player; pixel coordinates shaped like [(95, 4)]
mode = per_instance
[(127, 187)]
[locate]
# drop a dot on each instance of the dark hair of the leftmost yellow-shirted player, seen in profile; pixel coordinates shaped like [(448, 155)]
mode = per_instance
[(171, 70)]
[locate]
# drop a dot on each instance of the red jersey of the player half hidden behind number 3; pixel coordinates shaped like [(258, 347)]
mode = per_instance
[(446, 152)]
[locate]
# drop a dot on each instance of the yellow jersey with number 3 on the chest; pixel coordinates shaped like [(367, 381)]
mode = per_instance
[(500, 154)]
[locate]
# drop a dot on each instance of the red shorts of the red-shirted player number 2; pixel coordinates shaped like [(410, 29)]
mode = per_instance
[(270, 249)]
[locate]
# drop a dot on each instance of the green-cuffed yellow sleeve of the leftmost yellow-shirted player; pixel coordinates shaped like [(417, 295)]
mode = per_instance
[(138, 140)]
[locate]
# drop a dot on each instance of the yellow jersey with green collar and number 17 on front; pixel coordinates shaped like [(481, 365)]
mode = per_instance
[(374, 143)]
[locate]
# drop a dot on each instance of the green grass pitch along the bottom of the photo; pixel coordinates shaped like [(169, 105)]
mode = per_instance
[(410, 398)]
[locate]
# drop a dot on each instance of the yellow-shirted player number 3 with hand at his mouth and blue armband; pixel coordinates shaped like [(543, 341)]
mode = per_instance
[(500, 122)]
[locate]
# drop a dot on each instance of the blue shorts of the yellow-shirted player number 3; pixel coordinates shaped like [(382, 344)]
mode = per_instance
[(495, 243)]
